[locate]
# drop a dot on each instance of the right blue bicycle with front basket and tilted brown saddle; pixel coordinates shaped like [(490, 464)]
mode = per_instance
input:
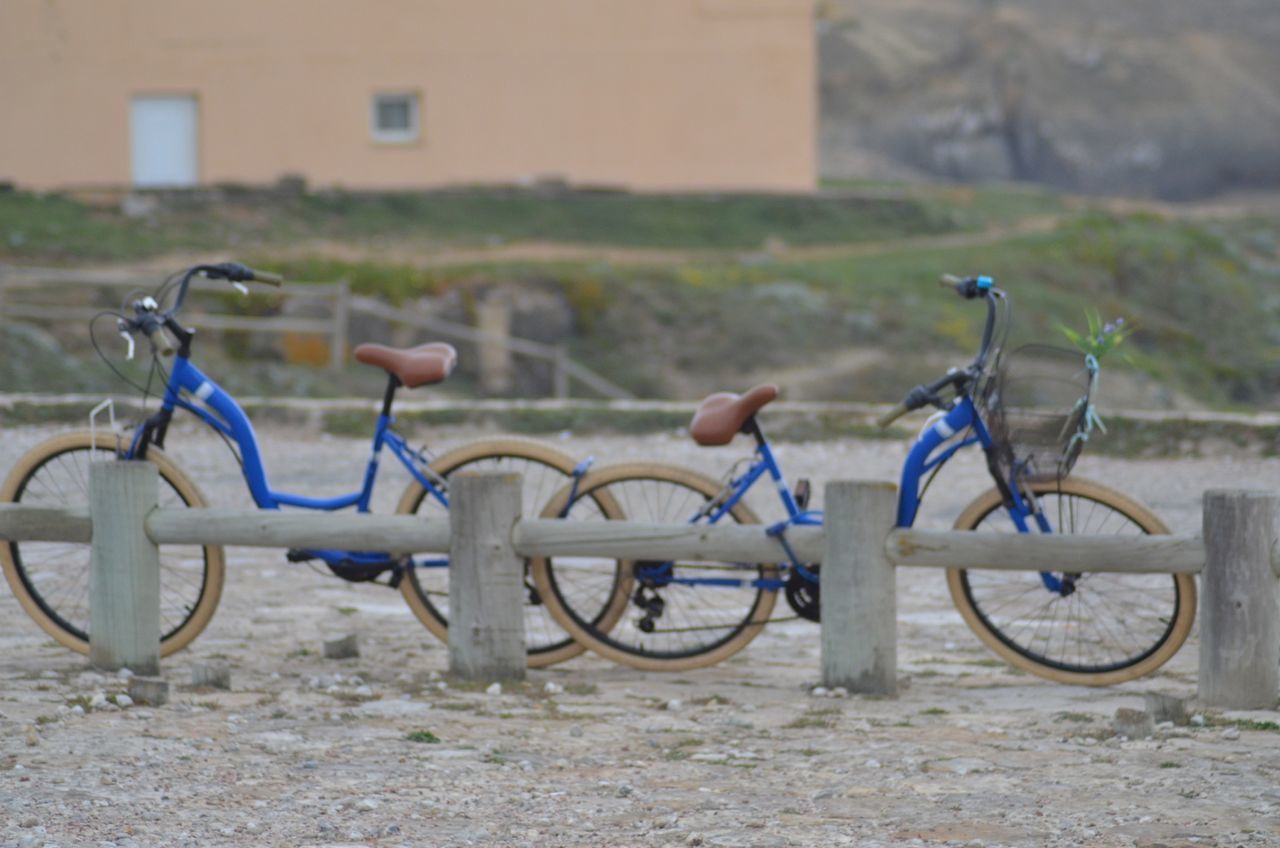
[(1077, 628)]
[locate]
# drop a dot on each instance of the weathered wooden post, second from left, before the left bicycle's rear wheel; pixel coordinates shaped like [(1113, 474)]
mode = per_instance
[(487, 586)]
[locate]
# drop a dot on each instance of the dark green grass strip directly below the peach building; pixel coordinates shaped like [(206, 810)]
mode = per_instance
[(54, 227)]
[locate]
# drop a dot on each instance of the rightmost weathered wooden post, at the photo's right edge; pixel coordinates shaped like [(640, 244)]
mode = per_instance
[(1240, 603)]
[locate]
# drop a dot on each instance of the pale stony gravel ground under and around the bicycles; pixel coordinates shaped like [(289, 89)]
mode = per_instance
[(383, 751)]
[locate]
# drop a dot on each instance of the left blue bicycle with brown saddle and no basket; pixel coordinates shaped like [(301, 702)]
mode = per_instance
[(52, 580)]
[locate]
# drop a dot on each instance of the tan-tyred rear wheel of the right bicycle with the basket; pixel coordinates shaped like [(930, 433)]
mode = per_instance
[(664, 617)]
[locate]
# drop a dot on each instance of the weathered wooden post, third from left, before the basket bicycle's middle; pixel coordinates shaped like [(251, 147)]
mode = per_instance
[(860, 589)]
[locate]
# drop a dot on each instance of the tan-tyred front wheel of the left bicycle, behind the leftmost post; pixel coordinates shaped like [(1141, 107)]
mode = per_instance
[(52, 580)]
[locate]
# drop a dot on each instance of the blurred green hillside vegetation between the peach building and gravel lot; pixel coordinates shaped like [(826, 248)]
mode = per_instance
[(834, 297)]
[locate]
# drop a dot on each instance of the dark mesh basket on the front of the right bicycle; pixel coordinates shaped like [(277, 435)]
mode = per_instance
[(1037, 408)]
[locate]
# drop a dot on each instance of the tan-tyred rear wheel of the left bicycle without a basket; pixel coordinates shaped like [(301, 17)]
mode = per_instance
[(427, 587)]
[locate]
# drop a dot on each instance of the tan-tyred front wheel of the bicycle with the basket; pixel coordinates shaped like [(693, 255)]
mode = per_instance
[(1094, 628)]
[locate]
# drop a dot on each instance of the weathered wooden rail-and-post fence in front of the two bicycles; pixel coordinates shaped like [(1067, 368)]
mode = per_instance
[(860, 550)]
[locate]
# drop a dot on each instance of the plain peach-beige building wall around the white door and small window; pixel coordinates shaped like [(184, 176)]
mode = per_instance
[(644, 94)]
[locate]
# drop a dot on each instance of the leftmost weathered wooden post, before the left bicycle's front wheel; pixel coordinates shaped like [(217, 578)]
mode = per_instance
[(125, 568)]
